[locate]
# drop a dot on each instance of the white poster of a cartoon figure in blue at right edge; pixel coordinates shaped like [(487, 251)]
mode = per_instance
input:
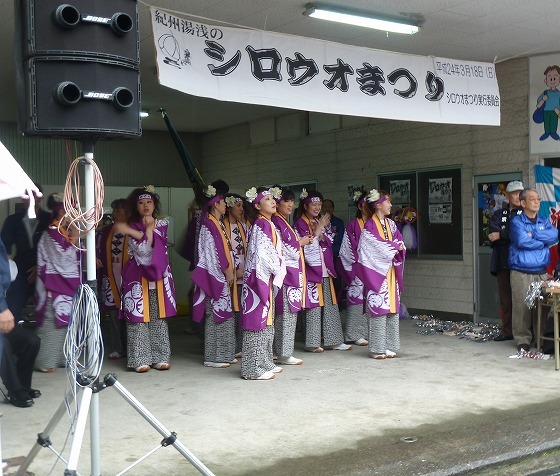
[(544, 103)]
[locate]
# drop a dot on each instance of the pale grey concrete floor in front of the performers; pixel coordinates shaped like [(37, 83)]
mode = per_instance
[(340, 413)]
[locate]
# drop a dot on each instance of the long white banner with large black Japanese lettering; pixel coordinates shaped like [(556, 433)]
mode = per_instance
[(272, 69)]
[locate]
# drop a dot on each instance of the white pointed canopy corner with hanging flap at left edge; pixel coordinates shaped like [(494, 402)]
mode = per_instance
[(14, 182)]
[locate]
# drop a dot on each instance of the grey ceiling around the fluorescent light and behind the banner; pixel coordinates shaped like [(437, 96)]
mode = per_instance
[(476, 30)]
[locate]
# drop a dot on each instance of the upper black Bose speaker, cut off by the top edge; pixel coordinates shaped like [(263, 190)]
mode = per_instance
[(100, 28)]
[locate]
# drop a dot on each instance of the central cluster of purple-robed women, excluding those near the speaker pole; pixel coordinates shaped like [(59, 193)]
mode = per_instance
[(255, 272)]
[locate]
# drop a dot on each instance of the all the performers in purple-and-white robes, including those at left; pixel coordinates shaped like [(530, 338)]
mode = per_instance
[(254, 271)]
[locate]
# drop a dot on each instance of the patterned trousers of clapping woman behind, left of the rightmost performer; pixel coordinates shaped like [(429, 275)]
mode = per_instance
[(328, 316)]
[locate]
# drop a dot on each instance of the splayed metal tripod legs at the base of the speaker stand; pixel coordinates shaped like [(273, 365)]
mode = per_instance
[(110, 380)]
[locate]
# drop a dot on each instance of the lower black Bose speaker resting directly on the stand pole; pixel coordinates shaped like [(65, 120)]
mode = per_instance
[(66, 99)]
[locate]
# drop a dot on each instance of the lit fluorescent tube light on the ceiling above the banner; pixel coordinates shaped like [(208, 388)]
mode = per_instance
[(350, 17)]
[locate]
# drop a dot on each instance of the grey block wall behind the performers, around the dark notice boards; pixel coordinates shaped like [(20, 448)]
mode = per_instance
[(358, 154)]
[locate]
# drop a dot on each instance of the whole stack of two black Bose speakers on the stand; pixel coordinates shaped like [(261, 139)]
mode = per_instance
[(77, 68)]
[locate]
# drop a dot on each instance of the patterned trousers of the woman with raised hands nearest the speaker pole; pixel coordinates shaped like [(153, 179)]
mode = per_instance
[(148, 342)]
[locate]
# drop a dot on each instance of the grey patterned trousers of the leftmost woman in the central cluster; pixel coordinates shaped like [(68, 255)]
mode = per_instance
[(219, 338)]
